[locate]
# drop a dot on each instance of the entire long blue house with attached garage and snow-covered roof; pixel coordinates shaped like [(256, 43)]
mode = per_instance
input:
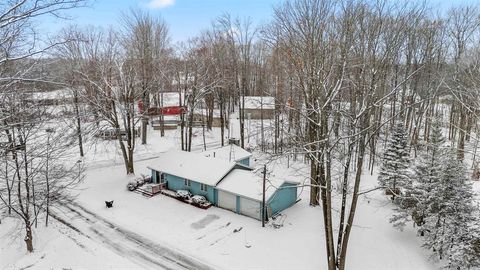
[(228, 185)]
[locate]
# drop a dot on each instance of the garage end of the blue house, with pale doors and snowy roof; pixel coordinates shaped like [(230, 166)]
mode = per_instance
[(241, 192)]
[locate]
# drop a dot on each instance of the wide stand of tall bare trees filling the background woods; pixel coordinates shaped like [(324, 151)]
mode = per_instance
[(344, 74)]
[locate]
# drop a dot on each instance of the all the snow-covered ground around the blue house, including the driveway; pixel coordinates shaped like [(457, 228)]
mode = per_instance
[(161, 232)]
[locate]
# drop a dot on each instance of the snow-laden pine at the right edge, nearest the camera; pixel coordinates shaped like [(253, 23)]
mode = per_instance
[(450, 216)]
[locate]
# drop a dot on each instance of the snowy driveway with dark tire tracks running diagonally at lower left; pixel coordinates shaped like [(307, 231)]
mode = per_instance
[(128, 243)]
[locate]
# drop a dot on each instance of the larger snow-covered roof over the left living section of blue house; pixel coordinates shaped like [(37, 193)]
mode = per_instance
[(192, 166)]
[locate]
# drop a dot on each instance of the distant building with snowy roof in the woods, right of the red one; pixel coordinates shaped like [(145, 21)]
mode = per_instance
[(258, 107)]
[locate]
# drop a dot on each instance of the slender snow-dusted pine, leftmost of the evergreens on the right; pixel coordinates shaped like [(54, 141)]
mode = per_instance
[(395, 163)]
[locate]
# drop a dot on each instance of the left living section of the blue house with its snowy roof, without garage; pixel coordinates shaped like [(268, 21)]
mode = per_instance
[(196, 173)]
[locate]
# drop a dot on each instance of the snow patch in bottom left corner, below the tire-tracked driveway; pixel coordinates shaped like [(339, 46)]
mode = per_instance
[(56, 247)]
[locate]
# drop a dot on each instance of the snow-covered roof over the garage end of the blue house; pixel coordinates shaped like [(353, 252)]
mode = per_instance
[(248, 184)]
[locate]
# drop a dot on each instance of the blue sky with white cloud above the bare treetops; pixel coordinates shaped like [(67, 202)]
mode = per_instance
[(186, 18)]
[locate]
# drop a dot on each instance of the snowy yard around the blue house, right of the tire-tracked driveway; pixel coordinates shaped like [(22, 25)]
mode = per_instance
[(375, 244)]
